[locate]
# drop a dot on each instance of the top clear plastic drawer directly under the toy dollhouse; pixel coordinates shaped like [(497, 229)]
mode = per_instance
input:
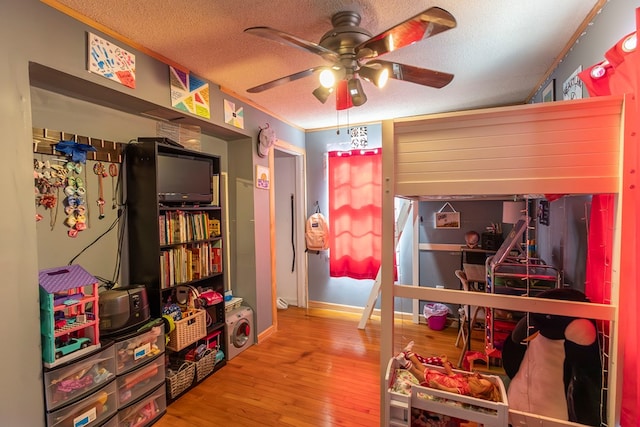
[(70, 382)]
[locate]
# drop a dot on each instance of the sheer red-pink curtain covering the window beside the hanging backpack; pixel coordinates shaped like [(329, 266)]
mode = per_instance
[(355, 213)]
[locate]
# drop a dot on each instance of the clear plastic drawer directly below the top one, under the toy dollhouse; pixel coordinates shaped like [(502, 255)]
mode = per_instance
[(90, 411)]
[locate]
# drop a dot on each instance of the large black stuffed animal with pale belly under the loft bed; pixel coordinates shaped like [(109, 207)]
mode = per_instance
[(554, 364)]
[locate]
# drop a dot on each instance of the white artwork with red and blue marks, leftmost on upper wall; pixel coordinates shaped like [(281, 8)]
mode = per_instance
[(111, 61)]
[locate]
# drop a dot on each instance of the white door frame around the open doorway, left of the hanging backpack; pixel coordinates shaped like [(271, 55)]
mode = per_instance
[(300, 203)]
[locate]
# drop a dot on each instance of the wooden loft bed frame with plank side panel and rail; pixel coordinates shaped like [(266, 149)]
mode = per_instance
[(569, 147)]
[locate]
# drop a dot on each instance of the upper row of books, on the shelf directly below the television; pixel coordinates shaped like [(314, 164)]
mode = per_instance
[(181, 227)]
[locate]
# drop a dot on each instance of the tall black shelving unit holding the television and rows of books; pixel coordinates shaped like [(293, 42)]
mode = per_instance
[(159, 230)]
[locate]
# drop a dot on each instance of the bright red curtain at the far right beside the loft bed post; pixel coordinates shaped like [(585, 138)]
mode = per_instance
[(619, 74)]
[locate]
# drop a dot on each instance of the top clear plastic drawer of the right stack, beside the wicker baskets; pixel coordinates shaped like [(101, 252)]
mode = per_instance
[(137, 349)]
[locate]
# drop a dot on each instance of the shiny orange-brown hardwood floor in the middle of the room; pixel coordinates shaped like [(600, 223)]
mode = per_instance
[(318, 369)]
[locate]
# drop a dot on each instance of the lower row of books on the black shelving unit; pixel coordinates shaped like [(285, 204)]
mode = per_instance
[(187, 263)]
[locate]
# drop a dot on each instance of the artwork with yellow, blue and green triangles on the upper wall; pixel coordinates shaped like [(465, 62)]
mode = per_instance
[(189, 93)]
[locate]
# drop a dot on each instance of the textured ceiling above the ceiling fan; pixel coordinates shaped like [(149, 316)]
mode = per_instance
[(500, 51)]
